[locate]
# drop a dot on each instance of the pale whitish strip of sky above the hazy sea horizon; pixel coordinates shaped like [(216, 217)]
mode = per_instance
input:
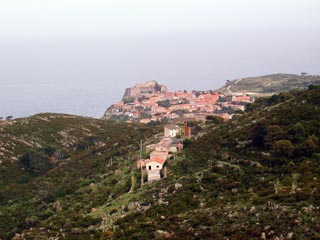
[(64, 18)]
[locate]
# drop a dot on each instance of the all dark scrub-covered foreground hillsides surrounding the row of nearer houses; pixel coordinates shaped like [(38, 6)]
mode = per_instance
[(253, 177)]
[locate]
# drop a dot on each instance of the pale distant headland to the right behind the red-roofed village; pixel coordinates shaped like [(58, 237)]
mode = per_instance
[(270, 84)]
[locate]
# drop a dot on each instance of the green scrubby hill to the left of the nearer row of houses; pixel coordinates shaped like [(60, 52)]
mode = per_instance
[(50, 164)]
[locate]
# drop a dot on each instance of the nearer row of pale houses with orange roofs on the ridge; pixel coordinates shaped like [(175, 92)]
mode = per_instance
[(167, 147)]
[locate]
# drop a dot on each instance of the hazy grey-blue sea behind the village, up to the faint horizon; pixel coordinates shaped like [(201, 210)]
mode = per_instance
[(85, 75)]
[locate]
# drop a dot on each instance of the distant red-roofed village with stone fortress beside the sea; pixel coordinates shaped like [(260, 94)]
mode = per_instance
[(150, 101)]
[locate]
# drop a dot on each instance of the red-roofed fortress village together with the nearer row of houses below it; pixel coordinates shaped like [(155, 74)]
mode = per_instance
[(151, 101)]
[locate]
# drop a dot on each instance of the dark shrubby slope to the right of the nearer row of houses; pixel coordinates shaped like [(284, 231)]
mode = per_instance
[(254, 177)]
